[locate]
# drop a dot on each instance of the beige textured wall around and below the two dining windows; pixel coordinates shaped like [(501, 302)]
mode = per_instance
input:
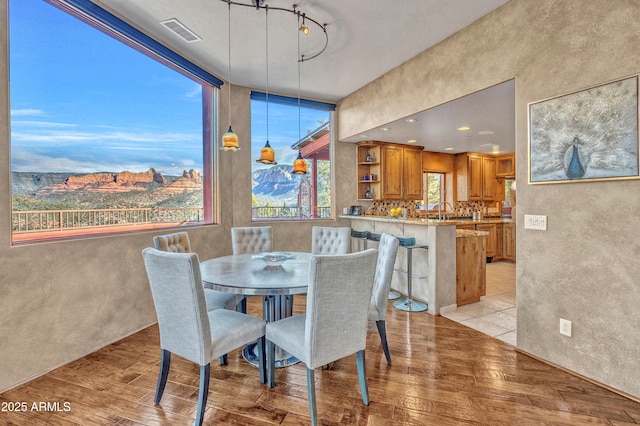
[(60, 301)]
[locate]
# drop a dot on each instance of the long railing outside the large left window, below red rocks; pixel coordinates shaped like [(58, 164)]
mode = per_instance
[(61, 220)]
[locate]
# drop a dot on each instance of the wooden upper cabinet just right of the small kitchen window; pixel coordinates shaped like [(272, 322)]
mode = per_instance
[(476, 178)]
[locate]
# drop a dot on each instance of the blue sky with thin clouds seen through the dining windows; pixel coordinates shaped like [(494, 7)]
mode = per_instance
[(84, 102)]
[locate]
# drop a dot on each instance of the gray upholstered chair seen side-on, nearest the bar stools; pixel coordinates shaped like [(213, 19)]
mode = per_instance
[(387, 250)]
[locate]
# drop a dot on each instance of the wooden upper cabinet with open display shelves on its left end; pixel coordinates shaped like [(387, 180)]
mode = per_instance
[(395, 173)]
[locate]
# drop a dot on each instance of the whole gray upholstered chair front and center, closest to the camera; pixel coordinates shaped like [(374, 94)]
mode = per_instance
[(335, 323)]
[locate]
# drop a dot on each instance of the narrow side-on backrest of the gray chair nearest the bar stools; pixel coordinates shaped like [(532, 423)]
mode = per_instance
[(387, 250)]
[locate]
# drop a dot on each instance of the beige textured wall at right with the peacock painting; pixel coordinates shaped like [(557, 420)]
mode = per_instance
[(584, 267)]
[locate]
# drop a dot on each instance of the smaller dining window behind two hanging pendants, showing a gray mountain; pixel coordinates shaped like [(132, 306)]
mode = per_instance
[(277, 193)]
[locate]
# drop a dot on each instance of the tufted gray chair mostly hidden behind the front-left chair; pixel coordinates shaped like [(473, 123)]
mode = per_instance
[(179, 243)]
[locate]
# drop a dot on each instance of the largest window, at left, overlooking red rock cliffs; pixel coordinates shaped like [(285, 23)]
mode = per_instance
[(104, 138)]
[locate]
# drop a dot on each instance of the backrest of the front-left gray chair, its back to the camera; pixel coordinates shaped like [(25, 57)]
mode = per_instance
[(178, 295)]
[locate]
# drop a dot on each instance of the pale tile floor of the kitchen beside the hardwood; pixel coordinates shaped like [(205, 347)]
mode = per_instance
[(495, 313)]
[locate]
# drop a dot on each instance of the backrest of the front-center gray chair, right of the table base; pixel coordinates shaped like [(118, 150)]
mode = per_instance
[(338, 300)]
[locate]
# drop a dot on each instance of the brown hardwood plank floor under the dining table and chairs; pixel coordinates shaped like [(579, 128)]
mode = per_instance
[(443, 373)]
